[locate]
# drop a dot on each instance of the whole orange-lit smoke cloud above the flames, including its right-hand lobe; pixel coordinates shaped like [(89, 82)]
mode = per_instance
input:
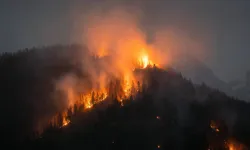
[(116, 37)]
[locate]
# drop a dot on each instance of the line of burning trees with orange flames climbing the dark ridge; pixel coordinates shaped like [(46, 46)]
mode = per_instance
[(121, 87)]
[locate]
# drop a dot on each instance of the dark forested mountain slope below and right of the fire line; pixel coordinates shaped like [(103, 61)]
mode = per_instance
[(168, 115)]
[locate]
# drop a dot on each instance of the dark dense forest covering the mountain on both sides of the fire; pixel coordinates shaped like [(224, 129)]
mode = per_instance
[(169, 113)]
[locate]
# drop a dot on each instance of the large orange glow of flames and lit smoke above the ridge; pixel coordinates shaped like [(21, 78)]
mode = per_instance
[(117, 36)]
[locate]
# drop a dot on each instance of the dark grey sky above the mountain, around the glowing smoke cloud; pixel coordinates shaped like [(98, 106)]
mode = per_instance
[(27, 23)]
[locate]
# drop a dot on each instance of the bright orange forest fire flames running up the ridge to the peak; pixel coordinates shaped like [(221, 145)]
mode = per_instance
[(121, 88)]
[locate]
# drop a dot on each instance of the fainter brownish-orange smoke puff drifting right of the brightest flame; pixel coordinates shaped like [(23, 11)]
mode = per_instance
[(176, 44)]
